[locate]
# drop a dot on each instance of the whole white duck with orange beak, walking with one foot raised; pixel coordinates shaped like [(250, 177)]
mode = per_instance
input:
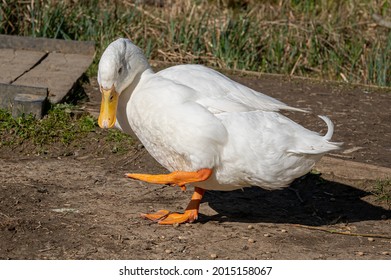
[(203, 127)]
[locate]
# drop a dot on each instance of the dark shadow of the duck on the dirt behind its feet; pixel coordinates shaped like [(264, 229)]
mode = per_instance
[(308, 201)]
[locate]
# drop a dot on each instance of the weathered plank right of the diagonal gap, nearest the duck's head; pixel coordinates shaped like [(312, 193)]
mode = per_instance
[(58, 72)]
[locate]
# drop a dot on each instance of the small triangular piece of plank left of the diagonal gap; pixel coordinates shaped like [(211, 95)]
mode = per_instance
[(13, 63)]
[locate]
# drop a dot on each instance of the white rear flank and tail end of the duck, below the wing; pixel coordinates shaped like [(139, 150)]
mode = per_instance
[(266, 149)]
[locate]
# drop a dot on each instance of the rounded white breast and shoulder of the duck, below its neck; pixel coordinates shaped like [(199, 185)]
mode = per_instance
[(179, 133)]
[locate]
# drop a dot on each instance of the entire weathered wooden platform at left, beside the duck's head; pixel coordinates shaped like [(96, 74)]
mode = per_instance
[(31, 69)]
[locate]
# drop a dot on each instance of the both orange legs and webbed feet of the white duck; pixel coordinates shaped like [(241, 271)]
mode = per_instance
[(179, 178)]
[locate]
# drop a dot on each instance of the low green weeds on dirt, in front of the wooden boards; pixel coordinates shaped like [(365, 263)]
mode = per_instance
[(63, 125)]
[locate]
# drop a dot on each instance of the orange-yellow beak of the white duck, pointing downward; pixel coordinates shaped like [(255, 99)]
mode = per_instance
[(108, 108)]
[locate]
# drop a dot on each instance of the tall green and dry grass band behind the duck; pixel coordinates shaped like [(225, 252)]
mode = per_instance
[(337, 40)]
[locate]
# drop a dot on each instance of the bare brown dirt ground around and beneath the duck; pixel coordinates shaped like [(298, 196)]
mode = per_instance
[(78, 204)]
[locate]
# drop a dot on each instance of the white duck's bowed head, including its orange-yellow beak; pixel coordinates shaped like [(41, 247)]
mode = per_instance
[(121, 64)]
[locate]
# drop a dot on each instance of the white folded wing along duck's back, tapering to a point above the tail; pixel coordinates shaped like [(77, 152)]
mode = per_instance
[(219, 93)]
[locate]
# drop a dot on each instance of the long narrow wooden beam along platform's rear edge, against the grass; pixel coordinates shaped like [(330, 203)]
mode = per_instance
[(47, 45)]
